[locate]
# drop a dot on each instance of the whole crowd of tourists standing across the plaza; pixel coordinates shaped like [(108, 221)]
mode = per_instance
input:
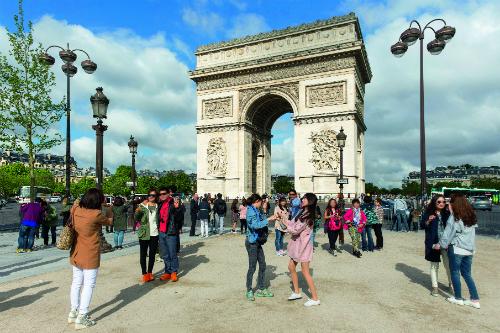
[(158, 221)]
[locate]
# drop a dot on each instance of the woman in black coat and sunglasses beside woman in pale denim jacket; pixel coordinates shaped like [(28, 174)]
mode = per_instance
[(434, 222)]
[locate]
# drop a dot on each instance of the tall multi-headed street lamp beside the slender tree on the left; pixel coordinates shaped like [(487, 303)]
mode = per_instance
[(68, 56)]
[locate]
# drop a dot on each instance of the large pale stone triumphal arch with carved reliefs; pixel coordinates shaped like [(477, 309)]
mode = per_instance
[(316, 71)]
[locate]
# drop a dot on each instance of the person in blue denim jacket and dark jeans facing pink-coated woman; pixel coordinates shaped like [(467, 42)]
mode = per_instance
[(256, 237)]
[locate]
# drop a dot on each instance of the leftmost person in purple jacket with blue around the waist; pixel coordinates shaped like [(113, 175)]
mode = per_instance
[(31, 216)]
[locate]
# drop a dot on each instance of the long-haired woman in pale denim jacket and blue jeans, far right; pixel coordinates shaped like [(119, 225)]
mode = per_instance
[(459, 238)]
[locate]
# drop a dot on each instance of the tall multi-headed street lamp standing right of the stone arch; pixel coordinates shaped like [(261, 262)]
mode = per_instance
[(408, 38)]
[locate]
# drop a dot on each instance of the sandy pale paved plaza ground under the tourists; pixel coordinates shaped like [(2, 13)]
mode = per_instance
[(382, 292)]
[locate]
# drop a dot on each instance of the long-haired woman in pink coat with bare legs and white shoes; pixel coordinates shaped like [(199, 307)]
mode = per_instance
[(300, 248)]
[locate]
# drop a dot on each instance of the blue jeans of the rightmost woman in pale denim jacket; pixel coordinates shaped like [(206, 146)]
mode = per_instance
[(461, 265)]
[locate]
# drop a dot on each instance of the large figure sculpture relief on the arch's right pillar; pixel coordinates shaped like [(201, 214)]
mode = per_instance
[(325, 151)]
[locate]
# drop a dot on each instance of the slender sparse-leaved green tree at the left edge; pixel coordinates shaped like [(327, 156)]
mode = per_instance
[(26, 109)]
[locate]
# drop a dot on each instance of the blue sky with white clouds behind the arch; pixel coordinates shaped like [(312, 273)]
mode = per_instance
[(145, 48)]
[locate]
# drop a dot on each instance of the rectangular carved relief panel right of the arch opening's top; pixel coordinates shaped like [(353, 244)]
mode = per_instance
[(326, 94)]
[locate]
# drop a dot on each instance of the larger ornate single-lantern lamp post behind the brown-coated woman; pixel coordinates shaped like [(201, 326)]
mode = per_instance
[(100, 104)]
